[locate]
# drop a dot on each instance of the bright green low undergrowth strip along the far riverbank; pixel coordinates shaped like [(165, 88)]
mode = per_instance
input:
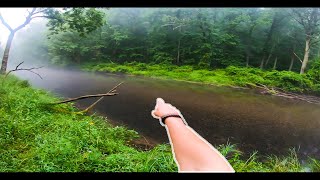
[(231, 76)]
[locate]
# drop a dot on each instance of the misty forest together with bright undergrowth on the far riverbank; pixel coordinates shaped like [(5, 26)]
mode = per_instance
[(276, 47)]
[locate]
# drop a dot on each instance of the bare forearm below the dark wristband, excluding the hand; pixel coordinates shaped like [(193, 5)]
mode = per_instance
[(202, 157)]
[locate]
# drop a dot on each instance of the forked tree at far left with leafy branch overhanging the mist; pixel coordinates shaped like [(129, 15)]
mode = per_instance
[(79, 20)]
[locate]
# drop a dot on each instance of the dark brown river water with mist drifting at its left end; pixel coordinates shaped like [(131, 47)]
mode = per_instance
[(268, 124)]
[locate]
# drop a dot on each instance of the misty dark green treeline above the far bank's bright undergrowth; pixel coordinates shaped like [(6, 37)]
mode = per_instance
[(269, 38)]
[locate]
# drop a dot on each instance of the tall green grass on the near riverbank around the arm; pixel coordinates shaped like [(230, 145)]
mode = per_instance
[(38, 138)]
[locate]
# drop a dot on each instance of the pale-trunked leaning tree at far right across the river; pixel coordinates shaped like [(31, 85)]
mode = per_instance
[(309, 19)]
